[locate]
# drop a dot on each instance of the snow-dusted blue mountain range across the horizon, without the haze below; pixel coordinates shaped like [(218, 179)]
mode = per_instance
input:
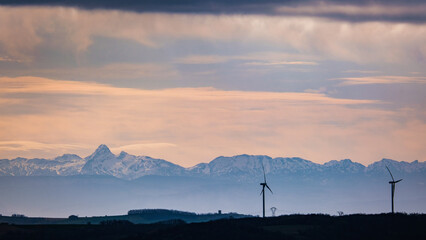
[(126, 166)]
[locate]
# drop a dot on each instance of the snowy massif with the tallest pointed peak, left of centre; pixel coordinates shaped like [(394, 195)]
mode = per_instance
[(126, 166)]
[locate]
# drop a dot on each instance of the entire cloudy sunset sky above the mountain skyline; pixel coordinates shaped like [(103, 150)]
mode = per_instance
[(188, 81)]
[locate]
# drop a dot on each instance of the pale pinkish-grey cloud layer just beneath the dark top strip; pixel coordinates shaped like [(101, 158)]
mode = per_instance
[(72, 31)]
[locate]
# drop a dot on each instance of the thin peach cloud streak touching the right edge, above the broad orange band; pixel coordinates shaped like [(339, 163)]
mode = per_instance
[(381, 80)]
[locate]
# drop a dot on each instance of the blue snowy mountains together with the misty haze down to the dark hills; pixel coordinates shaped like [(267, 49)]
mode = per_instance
[(105, 183)]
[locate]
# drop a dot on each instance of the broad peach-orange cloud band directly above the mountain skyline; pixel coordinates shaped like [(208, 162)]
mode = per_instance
[(192, 125)]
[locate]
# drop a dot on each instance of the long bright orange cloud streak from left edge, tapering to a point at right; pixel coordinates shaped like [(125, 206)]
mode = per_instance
[(37, 85)]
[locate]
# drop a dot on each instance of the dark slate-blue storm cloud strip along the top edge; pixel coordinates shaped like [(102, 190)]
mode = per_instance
[(348, 10)]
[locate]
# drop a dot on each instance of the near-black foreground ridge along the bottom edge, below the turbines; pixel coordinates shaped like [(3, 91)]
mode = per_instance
[(381, 226)]
